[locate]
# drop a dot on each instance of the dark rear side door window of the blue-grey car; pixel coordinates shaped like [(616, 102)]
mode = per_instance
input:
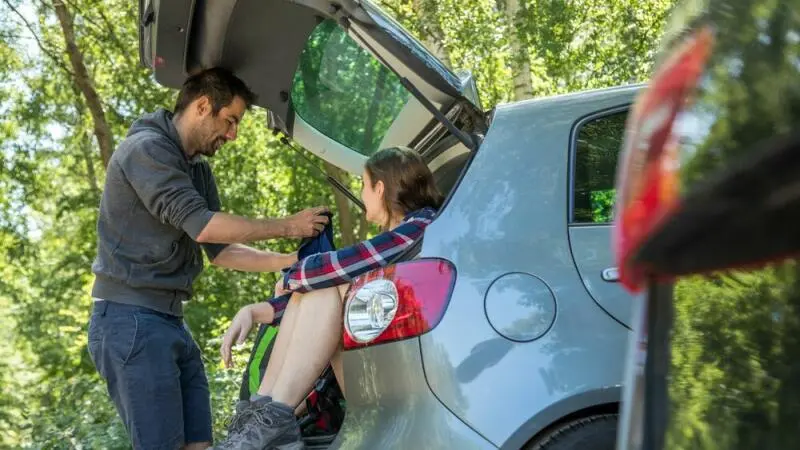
[(597, 148)]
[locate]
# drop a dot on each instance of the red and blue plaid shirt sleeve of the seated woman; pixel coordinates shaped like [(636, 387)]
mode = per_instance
[(329, 269)]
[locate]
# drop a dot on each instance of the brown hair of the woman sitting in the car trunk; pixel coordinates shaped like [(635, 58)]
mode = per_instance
[(407, 181)]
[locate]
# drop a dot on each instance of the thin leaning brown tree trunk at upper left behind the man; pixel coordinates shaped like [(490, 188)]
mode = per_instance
[(102, 131)]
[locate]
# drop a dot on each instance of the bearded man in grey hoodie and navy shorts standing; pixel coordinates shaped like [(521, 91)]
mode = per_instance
[(159, 206)]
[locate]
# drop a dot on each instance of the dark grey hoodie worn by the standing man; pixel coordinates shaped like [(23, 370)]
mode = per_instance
[(155, 203)]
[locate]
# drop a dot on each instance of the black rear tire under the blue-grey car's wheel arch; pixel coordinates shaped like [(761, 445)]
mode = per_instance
[(589, 433)]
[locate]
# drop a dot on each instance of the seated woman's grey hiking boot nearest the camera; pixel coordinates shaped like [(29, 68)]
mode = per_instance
[(264, 426)]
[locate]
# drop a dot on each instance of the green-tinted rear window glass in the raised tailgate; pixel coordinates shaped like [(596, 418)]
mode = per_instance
[(342, 91)]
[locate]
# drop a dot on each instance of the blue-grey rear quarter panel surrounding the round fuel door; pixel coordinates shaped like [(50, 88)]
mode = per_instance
[(508, 215)]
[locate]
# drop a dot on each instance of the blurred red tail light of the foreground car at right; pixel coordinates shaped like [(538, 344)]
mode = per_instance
[(647, 179)]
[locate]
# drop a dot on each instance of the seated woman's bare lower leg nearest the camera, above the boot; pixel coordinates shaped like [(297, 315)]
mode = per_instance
[(315, 338)]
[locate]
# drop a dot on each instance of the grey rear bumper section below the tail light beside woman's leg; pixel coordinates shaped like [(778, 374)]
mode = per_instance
[(389, 404)]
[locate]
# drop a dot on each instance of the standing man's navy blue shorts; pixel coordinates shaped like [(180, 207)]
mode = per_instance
[(154, 373)]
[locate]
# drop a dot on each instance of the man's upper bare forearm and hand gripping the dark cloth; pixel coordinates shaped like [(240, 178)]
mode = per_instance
[(229, 229)]
